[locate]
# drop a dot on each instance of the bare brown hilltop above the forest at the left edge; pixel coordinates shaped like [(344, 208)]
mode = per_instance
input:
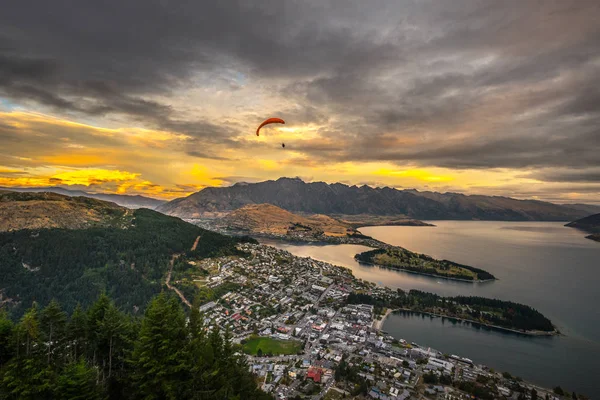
[(50, 210)]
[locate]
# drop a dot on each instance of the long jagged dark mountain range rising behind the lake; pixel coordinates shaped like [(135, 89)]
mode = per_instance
[(294, 195)]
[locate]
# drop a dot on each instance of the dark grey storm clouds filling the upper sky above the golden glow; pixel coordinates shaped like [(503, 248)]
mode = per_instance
[(460, 84)]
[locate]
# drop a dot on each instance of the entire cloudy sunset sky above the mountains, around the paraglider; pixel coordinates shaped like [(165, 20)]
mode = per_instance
[(162, 98)]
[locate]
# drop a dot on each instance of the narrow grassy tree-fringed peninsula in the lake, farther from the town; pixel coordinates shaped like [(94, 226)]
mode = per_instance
[(402, 259)]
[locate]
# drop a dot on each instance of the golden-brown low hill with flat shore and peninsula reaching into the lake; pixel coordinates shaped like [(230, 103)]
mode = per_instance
[(271, 222)]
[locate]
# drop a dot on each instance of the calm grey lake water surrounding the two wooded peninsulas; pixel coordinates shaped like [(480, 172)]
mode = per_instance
[(542, 264)]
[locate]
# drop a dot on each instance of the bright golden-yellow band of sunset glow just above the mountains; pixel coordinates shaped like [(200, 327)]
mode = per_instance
[(135, 160)]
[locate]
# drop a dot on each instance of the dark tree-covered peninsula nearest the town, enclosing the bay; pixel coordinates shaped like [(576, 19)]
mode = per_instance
[(505, 314)]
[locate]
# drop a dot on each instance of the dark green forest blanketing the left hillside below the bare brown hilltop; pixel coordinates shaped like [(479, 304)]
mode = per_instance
[(77, 265)]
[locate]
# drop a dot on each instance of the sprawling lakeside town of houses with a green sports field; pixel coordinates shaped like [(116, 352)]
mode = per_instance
[(305, 335)]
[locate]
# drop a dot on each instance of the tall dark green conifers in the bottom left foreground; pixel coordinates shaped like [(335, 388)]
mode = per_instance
[(103, 353)]
